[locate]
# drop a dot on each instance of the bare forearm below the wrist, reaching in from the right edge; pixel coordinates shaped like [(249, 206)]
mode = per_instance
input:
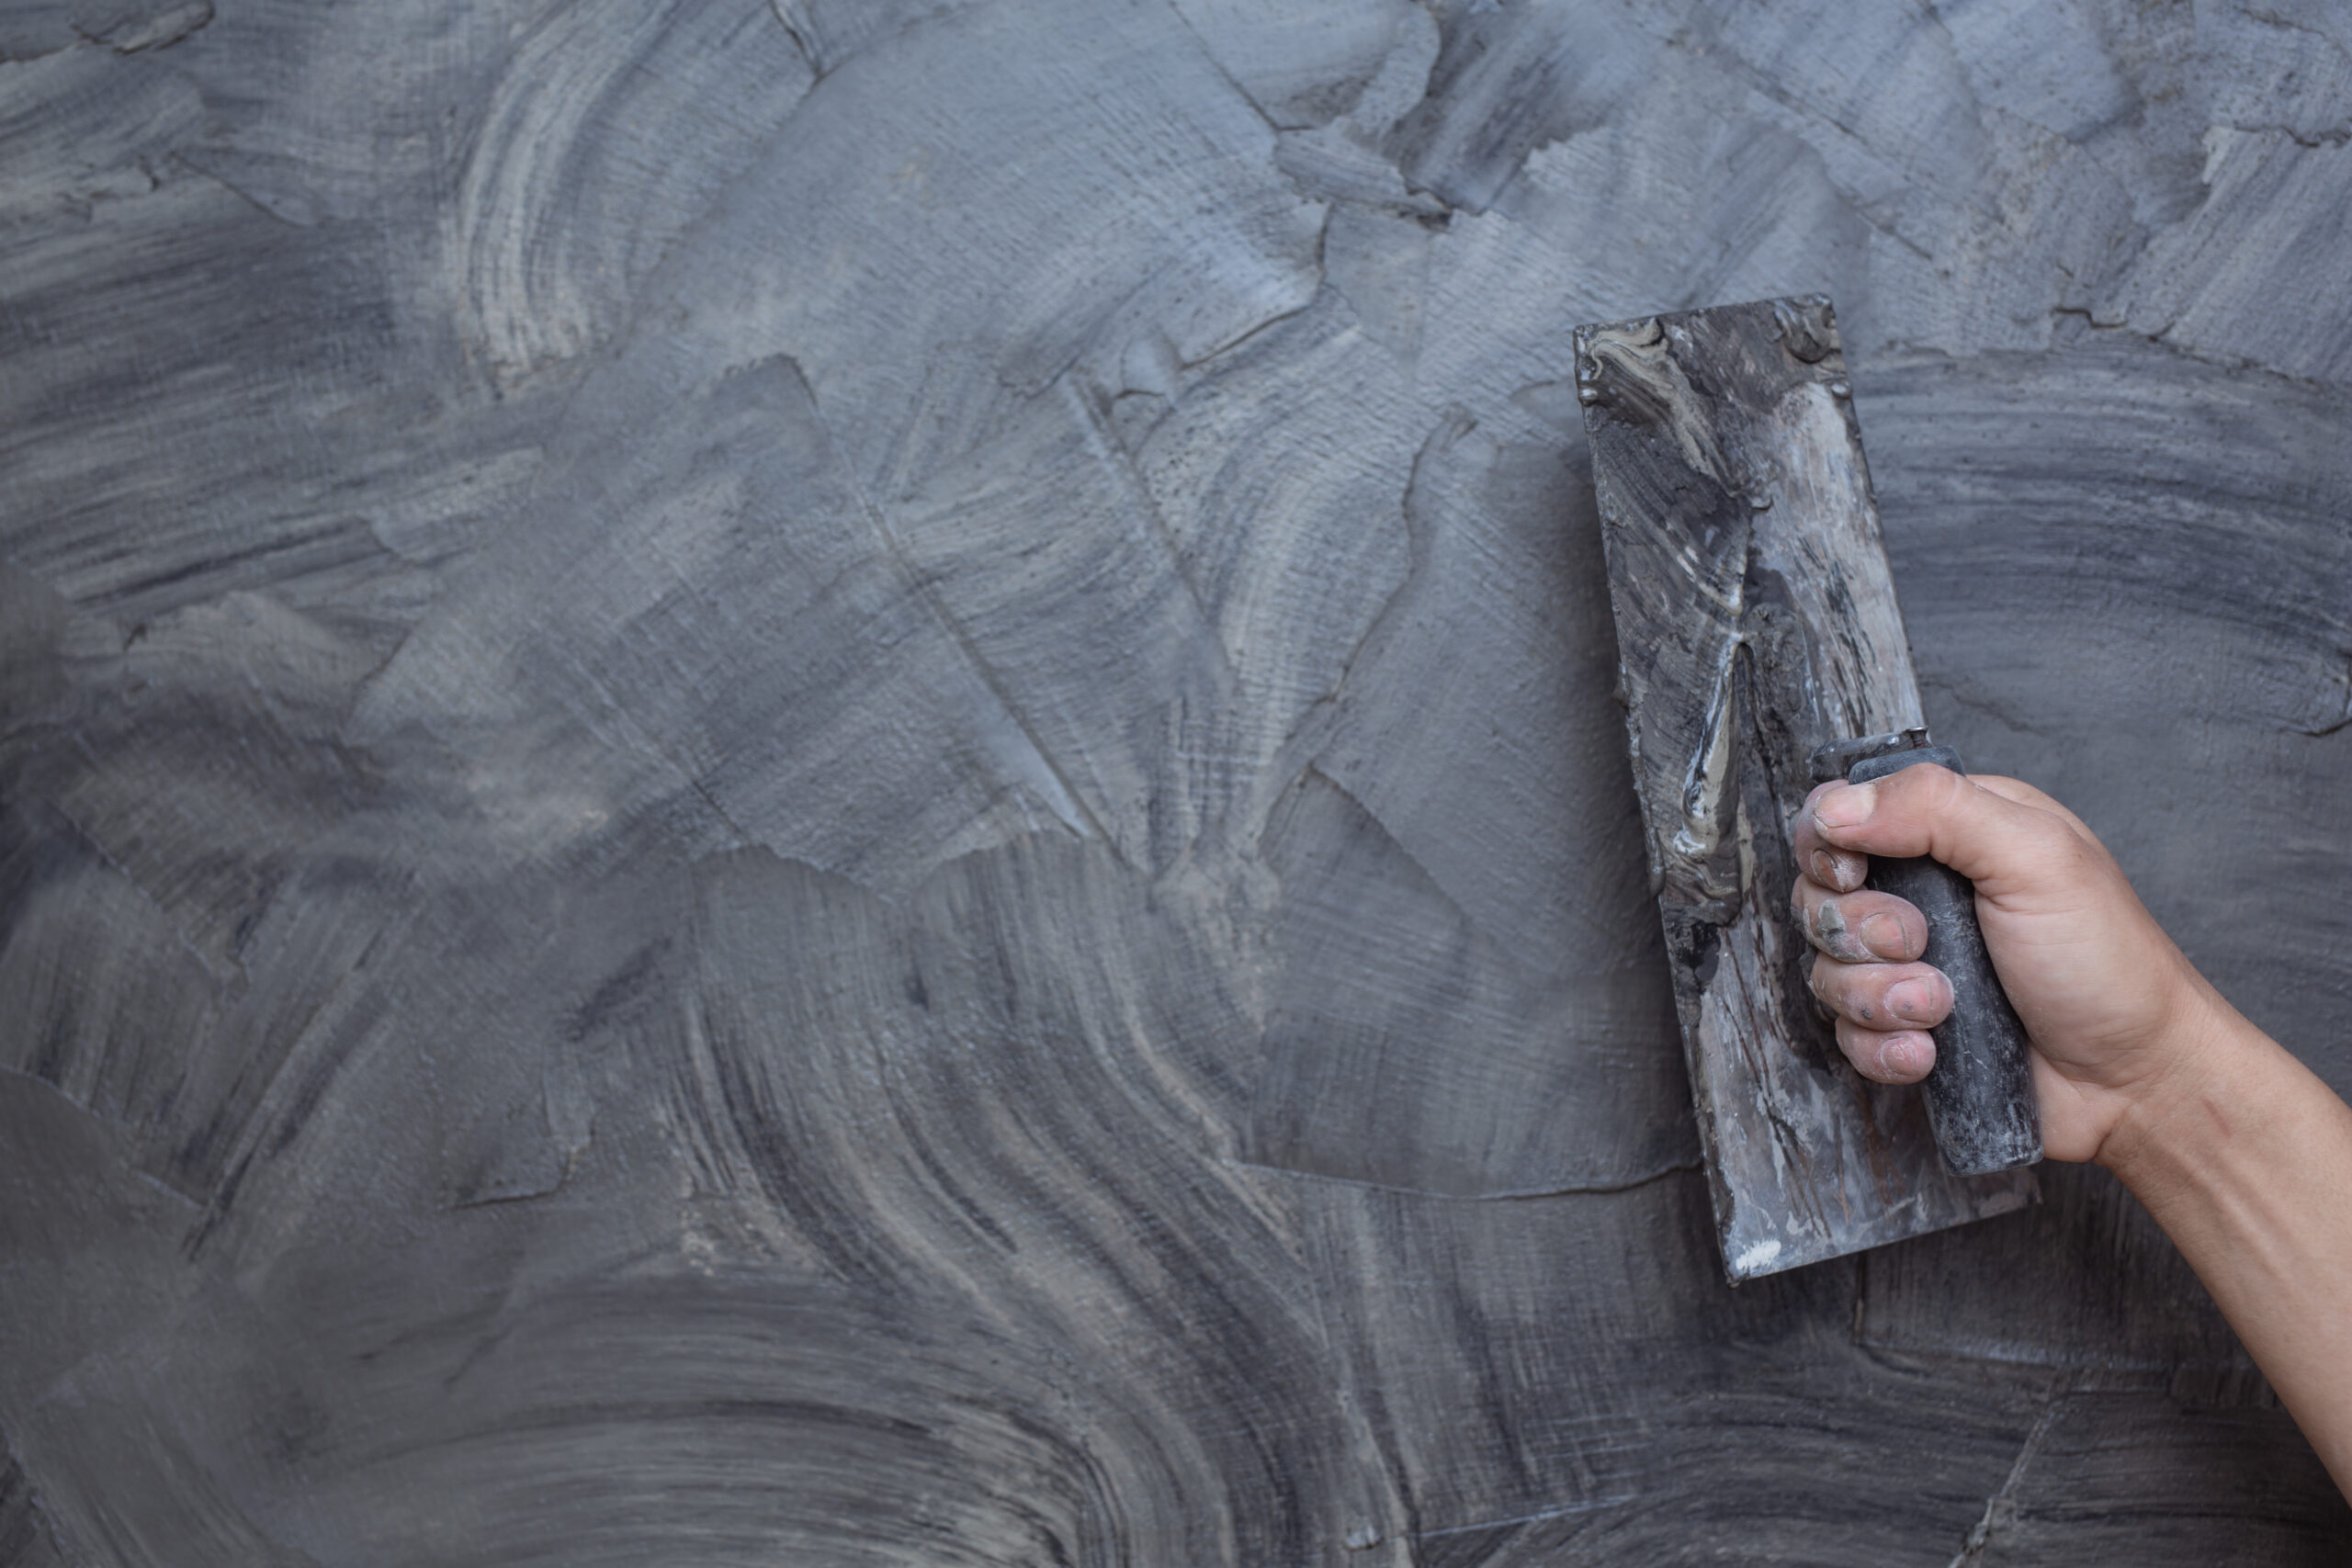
[(2245, 1158)]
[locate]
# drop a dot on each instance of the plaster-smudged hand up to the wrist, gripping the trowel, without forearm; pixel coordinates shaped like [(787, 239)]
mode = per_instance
[(2109, 1000)]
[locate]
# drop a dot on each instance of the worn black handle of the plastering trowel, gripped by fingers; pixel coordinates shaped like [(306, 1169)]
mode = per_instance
[(1982, 1092)]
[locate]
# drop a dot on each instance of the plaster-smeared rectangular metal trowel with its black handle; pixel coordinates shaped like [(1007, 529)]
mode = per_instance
[(1763, 652)]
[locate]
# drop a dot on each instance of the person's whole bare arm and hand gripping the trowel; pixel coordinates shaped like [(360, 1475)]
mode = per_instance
[(2236, 1148)]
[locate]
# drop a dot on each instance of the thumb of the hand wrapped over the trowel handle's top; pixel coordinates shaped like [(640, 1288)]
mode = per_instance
[(1927, 810)]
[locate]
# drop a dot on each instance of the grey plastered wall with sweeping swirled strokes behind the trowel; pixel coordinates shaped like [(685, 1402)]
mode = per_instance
[(836, 784)]
